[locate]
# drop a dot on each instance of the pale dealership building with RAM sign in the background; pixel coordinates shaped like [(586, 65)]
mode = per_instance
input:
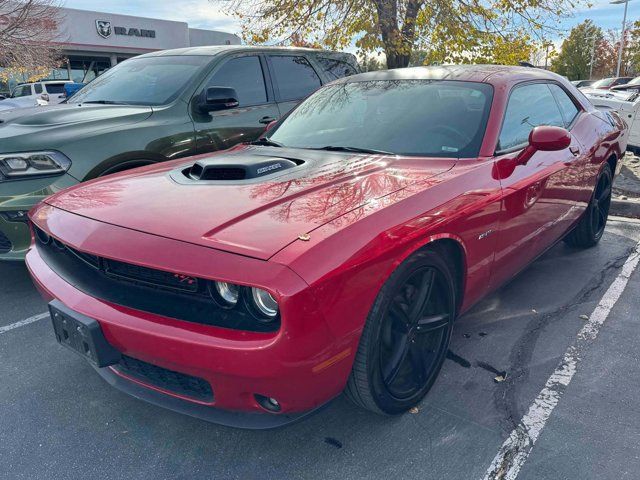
[(91, 41)]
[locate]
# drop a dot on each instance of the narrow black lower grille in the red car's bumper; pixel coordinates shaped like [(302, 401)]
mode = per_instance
[(175, 382)]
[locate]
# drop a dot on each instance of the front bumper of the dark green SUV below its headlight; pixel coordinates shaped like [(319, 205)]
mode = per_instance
[(22, 196)]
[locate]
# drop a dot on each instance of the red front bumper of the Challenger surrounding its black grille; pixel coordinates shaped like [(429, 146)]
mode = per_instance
[(302, 365)]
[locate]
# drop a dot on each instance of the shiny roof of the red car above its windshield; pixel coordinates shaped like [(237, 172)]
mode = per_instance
[(494, 74)]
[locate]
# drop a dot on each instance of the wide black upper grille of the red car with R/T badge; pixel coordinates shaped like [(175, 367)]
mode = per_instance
[(169, 294)]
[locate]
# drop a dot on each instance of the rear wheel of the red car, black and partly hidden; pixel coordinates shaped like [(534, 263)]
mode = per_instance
[(589, 230)]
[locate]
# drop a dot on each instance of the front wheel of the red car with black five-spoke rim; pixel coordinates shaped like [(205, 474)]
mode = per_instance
[(406, 336)]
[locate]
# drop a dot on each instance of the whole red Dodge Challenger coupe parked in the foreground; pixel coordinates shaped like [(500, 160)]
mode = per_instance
[(252, 286)]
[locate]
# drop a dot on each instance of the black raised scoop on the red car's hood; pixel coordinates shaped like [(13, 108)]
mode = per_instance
[(238, 168)]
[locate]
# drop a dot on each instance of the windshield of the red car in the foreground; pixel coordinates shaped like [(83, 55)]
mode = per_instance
[(404, 117)]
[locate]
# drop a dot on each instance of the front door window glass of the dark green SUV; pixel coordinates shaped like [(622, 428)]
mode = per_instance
[(245, 75)]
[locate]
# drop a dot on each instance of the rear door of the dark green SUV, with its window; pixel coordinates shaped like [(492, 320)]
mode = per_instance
[(293, 79)]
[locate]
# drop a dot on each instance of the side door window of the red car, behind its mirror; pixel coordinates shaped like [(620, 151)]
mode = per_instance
[(528, 106)]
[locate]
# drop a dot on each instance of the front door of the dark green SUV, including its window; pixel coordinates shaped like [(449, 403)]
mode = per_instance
[(257, 106)]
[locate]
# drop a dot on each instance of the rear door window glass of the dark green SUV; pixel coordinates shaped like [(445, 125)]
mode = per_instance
[(295, 77)]
